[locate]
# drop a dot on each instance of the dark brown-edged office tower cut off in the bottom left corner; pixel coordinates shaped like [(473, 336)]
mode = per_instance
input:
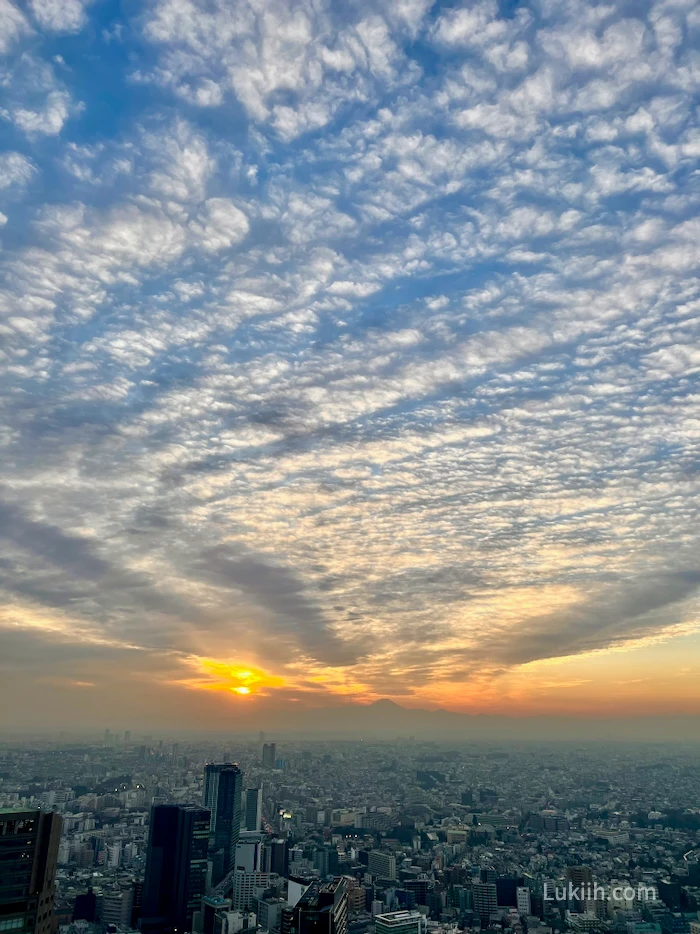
[(28, 855)]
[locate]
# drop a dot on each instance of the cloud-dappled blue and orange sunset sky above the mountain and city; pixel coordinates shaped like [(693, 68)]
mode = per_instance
[(348, 350)]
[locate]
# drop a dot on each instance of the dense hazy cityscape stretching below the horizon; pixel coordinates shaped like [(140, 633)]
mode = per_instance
[(139, 833)]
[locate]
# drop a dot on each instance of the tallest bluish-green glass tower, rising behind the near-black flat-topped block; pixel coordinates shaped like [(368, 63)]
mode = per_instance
[(223, 787)]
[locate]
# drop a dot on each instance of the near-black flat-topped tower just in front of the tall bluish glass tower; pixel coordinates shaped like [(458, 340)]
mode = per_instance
[(176, 868)]
